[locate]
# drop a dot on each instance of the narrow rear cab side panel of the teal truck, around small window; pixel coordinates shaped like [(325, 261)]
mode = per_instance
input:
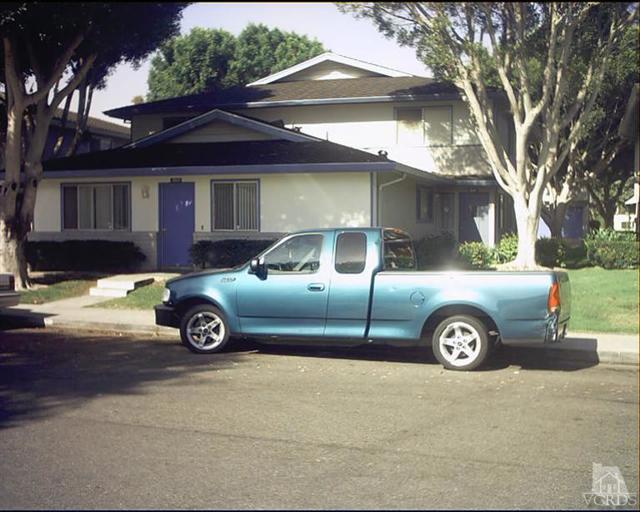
[(351, 273)]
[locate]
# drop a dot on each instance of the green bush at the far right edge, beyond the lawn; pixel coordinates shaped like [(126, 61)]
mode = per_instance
[(612, 249)]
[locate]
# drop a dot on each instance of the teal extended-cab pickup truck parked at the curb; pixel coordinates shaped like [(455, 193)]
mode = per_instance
[(360, 285)]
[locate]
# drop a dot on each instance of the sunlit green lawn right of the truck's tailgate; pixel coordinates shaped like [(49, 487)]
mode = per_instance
[(604, 300)]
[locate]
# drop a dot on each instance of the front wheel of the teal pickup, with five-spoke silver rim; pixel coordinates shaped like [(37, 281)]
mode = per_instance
[(204, 329)]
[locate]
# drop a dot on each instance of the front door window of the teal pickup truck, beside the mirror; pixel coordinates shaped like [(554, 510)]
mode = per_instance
[(297, 254)]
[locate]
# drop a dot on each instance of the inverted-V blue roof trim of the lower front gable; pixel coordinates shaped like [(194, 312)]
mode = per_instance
[(227, 117)]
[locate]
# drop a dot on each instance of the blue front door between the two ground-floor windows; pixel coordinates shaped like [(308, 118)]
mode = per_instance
[(177, 223)]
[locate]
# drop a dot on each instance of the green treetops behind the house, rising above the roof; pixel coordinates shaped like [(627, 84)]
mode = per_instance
[(206, 59)]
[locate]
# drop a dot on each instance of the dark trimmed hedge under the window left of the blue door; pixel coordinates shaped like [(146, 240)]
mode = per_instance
[(97, 255)]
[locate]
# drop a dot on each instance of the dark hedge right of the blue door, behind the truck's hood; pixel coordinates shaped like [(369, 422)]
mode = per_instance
[(225, 253)]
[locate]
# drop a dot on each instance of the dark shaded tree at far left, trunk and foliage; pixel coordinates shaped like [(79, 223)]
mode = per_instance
[(49, 51)]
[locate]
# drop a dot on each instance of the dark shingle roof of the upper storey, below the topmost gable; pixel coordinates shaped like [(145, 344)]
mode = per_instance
[(325, 91)]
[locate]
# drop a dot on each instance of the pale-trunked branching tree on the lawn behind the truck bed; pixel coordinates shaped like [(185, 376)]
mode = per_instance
[(535, 53)]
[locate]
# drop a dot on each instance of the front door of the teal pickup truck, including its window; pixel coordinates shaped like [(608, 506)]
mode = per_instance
[(291, 300)]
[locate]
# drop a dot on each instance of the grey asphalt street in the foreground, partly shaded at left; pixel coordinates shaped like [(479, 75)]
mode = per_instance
[(106, 421)]
